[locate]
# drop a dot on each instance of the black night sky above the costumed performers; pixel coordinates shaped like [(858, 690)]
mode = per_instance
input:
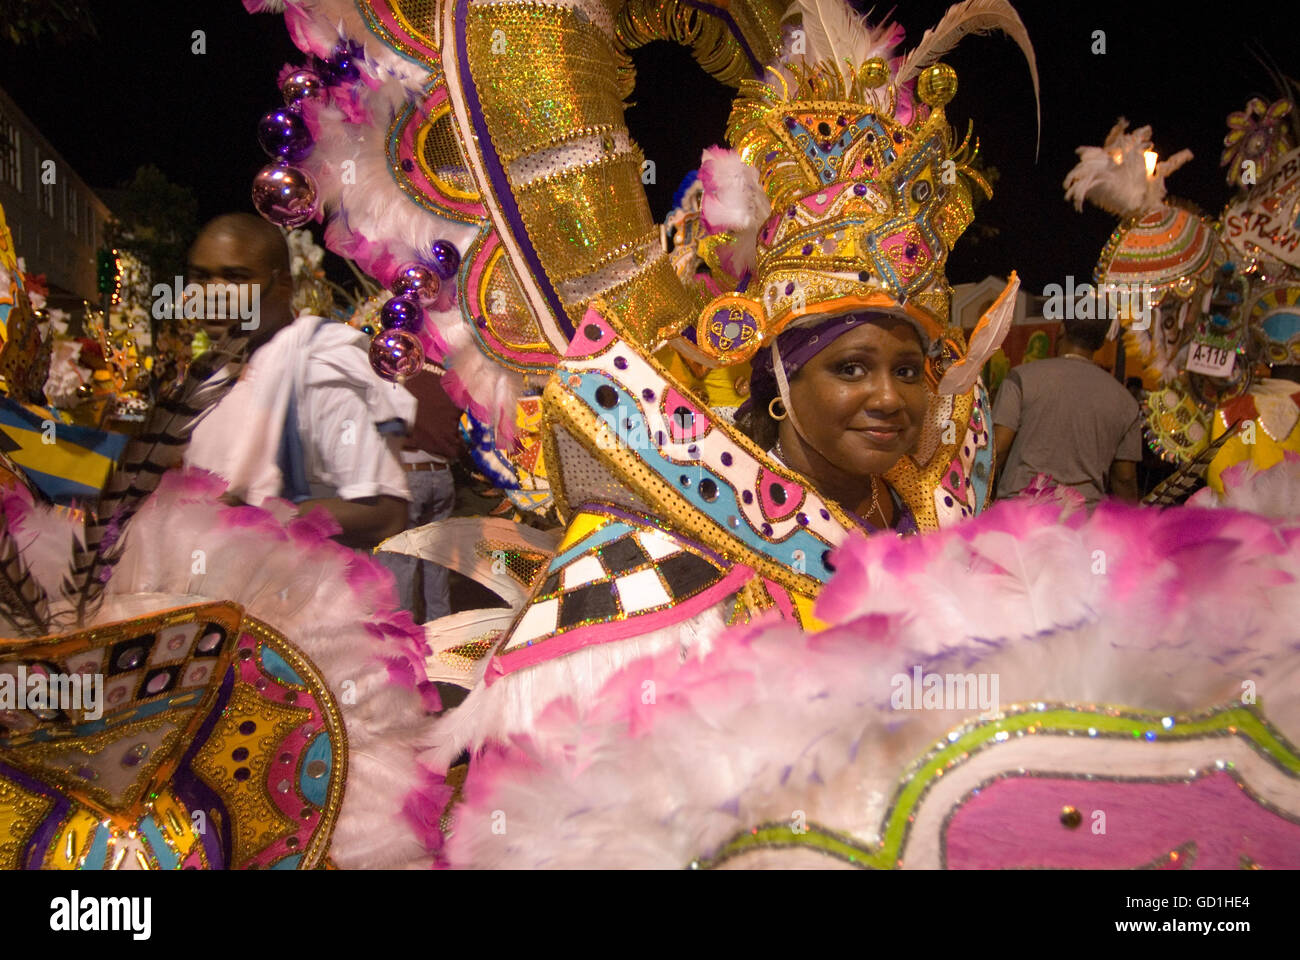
[(138, 96)]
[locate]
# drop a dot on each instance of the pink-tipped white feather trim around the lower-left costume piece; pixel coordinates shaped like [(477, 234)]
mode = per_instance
[(333, 604)]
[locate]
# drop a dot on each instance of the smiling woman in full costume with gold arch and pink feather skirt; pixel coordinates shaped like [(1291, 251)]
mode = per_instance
[(643, 733)]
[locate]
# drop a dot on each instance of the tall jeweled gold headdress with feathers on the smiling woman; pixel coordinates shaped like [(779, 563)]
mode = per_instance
[(869, 191)]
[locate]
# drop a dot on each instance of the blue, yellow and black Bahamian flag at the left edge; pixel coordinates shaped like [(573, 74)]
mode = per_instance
[(64, 462)]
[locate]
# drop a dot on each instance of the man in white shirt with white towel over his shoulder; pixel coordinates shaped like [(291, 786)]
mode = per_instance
[(309, 420)]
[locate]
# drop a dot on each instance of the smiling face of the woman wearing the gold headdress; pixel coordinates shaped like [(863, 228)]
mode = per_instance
[(863, 400)]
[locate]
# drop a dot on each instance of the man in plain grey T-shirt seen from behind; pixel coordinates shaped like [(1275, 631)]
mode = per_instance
[(1069, 418)]
